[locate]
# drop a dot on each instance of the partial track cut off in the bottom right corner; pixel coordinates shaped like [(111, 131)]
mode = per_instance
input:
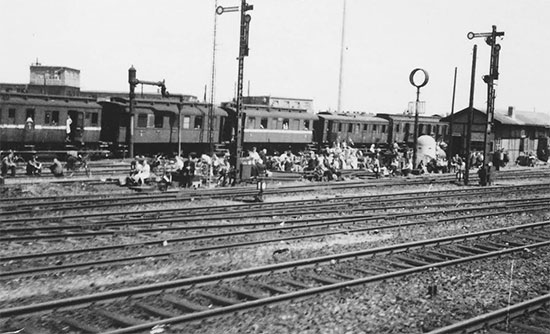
[(530, 316)]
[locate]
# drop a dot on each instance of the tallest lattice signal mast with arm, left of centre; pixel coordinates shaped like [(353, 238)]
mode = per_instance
[(243, 52)]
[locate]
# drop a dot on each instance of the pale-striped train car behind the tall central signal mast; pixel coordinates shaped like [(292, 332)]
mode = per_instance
[(275, 128)]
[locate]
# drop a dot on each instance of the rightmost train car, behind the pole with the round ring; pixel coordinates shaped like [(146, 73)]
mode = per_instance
[(401, 127)]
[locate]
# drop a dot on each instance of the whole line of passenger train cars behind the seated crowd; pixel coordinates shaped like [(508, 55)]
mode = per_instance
[(38, 121)]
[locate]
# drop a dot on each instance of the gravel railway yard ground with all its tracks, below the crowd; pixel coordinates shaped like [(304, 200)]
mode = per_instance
[(393, 255)]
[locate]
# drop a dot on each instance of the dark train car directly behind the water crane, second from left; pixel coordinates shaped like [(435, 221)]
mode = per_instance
[(156, 124)]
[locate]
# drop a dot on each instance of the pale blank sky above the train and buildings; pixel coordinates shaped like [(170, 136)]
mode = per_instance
[(294, 48)]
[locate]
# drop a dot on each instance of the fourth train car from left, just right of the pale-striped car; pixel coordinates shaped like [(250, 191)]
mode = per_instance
[(357, 129)]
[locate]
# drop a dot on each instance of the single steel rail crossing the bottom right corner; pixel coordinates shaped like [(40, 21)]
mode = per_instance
[(487, 320)]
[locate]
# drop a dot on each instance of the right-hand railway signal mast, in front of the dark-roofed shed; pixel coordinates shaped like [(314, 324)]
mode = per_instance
[(490, 39)]
